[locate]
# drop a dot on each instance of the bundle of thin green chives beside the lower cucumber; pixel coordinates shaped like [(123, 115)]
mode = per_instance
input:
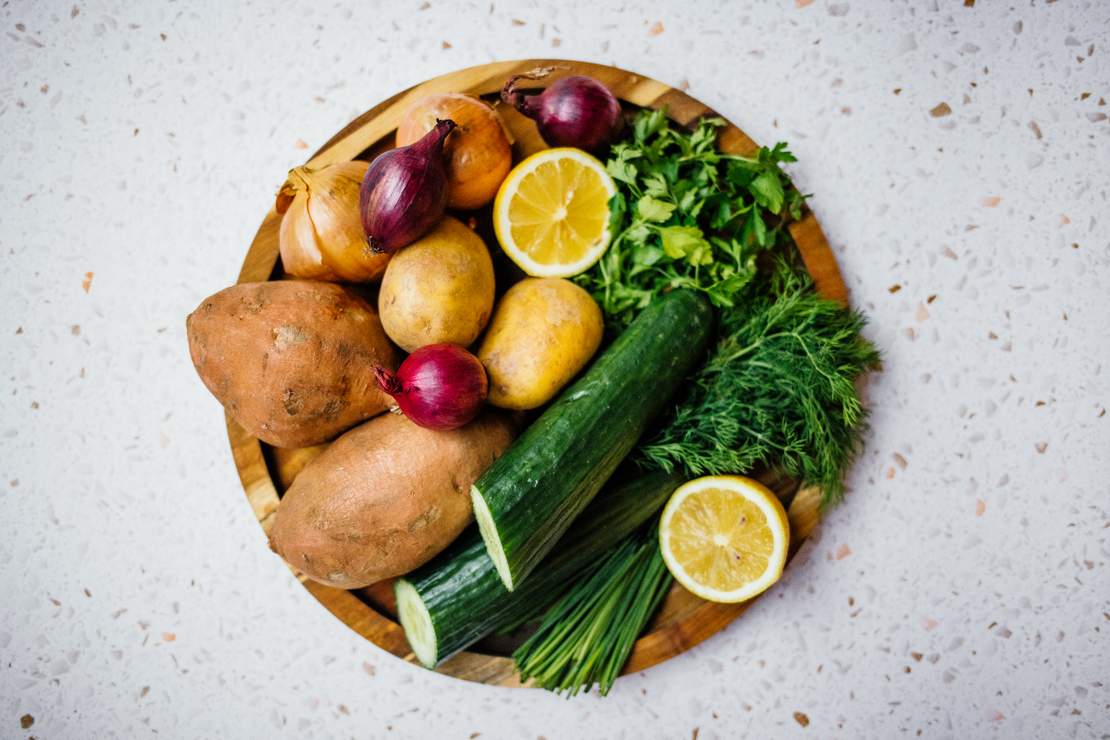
[(587, 637)]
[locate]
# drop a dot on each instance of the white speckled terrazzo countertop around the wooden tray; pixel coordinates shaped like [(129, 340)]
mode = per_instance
[(958, 159)]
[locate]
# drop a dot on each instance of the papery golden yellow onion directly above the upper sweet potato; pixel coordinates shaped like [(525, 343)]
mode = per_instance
[(321, 236)]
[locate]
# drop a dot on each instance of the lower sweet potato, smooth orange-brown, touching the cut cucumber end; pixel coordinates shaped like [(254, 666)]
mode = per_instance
[(385, 499)]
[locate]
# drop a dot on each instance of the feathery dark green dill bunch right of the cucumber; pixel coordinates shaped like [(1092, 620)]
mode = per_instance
[(779, 390)]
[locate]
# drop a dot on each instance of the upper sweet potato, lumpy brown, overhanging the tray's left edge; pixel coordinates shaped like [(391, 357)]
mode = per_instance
[(291, 361)]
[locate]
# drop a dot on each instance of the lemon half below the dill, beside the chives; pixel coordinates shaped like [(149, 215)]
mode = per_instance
[(724, 538)]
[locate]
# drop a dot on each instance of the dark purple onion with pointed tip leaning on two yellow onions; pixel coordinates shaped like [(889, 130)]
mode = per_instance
[(406, 191)]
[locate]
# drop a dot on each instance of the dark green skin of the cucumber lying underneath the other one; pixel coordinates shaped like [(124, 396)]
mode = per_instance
[(465, 595)]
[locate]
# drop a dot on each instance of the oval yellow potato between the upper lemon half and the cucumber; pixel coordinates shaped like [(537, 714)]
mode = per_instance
[(544, 331)]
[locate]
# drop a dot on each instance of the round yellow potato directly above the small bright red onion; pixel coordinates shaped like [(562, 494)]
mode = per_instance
[(439, 289)]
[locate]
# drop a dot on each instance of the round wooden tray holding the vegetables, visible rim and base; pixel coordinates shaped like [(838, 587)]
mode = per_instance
[(684, 621)]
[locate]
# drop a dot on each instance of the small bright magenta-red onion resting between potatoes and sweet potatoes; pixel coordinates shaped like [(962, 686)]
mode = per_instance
[(440, 387)]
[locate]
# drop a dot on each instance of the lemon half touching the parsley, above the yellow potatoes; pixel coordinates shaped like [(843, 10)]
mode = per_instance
[(552, 212)]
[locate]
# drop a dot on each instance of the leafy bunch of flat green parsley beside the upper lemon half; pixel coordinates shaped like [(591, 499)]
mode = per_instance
[(687, 216)]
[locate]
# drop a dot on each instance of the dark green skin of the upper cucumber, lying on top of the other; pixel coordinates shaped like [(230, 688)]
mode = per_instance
[(552, 472)]
